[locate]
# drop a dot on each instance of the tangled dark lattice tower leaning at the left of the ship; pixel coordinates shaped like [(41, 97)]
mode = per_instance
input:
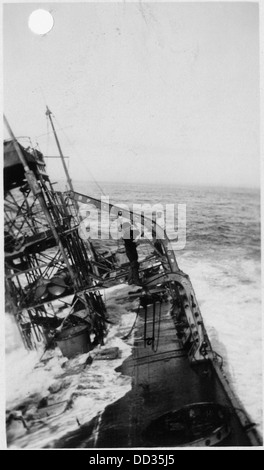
[(48, 267)]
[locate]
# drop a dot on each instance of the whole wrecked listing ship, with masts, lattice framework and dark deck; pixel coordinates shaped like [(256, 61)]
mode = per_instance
[(54, 281)]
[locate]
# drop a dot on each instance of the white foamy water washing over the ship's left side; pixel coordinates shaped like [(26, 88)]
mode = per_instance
[(88, 389)]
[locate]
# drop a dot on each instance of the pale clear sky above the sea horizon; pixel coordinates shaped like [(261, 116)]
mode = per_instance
[(140, 92)]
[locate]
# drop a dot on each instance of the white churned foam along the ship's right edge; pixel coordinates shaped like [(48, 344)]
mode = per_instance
[(232, 315)]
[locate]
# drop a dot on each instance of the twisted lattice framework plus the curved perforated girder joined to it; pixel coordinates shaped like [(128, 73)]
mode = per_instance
[(51, 269)]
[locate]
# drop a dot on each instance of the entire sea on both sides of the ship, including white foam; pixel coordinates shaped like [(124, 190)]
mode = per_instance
[(222, 256)]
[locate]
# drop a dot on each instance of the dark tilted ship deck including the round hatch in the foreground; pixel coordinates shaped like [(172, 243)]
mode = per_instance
[(172, 402)]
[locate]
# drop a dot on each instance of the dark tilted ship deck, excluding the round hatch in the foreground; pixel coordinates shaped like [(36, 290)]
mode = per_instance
[(163, 380)]
